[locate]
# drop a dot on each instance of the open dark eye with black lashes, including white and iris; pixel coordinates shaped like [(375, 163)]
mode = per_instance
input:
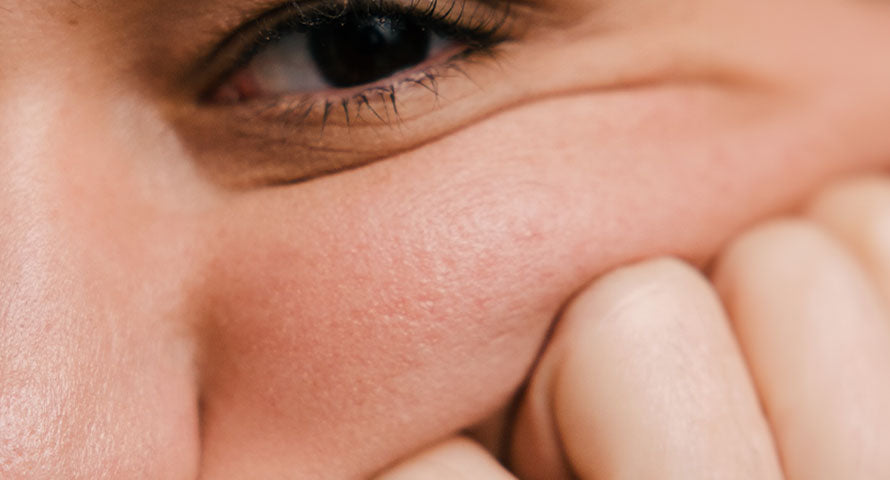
[(328, 46)]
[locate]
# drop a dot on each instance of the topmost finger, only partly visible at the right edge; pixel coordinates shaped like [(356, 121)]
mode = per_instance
[(858, 213)]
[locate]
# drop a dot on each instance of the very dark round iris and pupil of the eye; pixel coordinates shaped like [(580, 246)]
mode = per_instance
[(356, 51)]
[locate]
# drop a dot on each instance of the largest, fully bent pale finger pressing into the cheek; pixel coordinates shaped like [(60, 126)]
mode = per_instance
[(645, 381)]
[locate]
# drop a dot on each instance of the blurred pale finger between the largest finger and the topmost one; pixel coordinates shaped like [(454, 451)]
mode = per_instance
[(818, 345)]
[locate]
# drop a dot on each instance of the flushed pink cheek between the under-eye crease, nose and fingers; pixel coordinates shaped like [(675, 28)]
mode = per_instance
[(409, 299)]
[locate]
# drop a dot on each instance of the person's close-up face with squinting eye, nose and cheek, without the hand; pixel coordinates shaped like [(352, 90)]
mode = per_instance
[(206, 269)]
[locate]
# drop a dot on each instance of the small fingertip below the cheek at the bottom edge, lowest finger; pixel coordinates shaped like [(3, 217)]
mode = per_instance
[(455, 459)]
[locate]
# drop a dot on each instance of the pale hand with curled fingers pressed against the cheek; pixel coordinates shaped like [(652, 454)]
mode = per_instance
[(779, 367)]
